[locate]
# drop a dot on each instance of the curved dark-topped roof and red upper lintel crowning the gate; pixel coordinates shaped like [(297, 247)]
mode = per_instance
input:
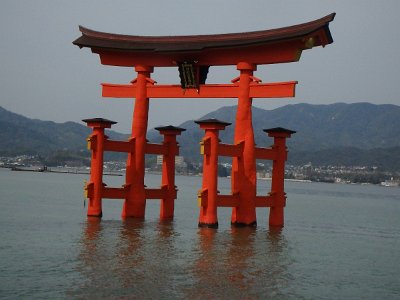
[(259, 47)]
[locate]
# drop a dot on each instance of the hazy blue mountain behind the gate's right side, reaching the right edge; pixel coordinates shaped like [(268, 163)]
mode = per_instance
[(319, 127)]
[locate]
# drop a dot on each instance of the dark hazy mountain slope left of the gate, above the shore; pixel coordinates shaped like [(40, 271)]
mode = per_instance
[(21, 135)]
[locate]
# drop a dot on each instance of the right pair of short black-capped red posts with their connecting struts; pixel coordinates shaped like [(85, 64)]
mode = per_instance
[(209, 198)]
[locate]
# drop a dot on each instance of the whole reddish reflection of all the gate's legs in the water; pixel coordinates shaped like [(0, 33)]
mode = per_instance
[(141, 259)]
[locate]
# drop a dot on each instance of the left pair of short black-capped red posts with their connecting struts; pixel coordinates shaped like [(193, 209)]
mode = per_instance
[(96, 190)]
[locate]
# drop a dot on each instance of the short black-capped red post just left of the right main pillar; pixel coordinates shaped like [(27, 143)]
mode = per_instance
[(208, 210)]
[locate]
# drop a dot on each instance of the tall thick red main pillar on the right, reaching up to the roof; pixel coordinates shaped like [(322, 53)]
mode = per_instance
[(244, 168)]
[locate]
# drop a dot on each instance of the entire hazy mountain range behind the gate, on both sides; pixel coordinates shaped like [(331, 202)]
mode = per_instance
[(349, 134)]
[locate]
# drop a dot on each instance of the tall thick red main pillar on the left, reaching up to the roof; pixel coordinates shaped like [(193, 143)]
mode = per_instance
[(135, 202)]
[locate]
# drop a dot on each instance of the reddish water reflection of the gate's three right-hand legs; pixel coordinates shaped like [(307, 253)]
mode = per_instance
[(242, 263)]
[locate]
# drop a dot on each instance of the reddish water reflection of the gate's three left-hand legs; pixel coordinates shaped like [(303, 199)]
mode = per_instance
[(129, 259)]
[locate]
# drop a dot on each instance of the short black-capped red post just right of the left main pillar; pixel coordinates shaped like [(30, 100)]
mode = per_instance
[(171, 149)]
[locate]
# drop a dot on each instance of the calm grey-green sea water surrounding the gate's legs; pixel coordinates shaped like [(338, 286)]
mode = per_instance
[(339, 242)]
